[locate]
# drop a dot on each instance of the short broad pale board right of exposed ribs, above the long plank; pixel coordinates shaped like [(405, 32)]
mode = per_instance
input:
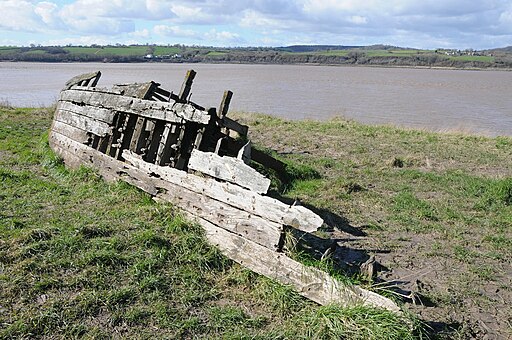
[(228, 169)]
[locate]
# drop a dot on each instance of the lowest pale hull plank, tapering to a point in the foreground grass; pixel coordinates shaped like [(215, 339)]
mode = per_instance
[(310, 282)]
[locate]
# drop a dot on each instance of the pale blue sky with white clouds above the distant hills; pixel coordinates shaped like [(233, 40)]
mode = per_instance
[(426, 24)]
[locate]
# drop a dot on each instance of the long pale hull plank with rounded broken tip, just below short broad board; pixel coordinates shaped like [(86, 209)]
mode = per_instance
[(267, 207)]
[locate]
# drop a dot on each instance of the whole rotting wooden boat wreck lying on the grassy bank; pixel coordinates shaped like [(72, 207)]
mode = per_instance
[(178, 151)]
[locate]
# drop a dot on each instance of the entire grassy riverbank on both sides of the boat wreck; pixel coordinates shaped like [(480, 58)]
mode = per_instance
[(79, 257)]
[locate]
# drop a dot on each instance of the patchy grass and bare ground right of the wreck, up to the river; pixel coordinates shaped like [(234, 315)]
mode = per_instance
[(435, 209)]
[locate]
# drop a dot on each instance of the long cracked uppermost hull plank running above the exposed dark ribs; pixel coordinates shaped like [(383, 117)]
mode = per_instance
[(169, 112)]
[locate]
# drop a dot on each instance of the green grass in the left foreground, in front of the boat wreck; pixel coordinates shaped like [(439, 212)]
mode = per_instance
[(83, 258)]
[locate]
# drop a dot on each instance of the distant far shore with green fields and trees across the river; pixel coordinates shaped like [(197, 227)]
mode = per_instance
[(331, 55)]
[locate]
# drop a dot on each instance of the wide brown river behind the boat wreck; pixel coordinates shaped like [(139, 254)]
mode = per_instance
[(477, 102)]
